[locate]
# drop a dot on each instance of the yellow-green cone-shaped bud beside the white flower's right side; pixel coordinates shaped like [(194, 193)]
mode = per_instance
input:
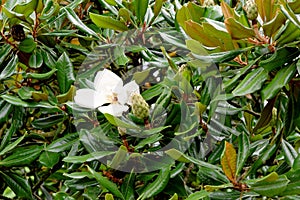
[(140, 107)]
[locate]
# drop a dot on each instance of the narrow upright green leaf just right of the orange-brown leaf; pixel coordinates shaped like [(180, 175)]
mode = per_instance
[(243, 152)]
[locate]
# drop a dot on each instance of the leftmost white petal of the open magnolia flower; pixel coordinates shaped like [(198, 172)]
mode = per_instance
[(88, 98)]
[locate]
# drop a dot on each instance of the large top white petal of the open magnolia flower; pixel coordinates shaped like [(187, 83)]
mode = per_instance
[(107, 81)]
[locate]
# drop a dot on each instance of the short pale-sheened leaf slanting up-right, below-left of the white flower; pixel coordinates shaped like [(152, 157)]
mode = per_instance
[(63, 143)]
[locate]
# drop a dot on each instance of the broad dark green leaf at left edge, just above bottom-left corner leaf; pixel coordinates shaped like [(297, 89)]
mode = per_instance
[(22, 156)]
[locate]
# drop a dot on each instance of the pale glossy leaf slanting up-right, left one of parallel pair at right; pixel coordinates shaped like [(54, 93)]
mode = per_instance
[(251, 83)]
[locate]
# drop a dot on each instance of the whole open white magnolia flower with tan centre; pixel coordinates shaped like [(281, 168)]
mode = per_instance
[(109, 89)]
